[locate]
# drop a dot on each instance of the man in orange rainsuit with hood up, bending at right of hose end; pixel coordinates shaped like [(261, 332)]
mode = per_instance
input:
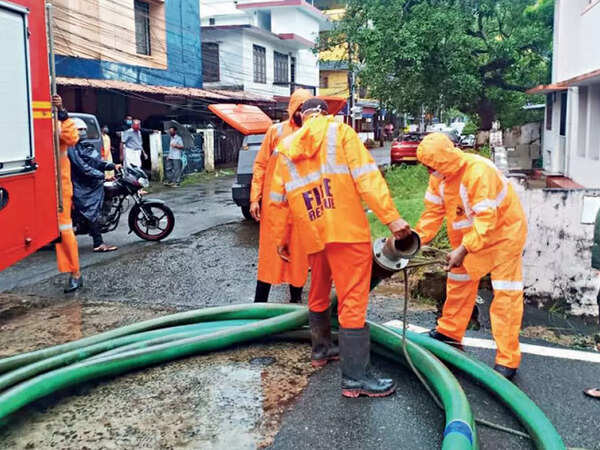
[(487, 229)]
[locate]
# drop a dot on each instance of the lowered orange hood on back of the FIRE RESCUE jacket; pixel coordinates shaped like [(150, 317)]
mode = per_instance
[(307, 141)]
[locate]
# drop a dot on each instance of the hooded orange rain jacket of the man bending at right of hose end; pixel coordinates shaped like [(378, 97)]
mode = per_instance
[(481, 208)]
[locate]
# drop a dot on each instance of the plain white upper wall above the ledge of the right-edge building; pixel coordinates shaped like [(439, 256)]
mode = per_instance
[(576, 38)]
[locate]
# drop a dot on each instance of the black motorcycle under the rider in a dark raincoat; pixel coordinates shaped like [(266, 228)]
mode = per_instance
[(149, 219)]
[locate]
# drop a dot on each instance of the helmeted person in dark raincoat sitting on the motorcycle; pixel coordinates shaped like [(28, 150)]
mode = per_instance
[(87, 176)]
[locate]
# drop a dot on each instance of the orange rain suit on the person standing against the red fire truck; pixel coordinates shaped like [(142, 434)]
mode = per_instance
[(67, 252)]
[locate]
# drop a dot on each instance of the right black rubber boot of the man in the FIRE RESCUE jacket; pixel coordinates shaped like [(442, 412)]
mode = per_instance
[(357, 379)]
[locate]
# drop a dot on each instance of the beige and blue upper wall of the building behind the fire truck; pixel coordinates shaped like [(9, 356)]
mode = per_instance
[(96, 39)]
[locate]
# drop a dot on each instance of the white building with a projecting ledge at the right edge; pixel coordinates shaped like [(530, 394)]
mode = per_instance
[(571, 140)]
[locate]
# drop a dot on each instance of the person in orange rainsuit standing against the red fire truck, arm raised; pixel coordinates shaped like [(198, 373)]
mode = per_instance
[(67, 252)]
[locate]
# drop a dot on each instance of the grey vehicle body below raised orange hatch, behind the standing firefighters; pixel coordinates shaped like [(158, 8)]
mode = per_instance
[(243, 181)]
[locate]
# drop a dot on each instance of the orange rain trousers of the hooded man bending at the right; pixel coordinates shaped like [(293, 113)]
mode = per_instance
[(506, 311)]
